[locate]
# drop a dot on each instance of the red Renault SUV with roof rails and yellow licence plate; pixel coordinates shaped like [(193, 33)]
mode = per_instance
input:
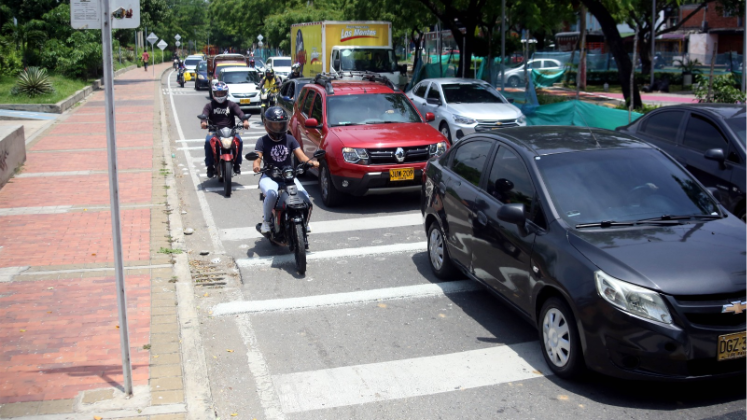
[(375, 138)]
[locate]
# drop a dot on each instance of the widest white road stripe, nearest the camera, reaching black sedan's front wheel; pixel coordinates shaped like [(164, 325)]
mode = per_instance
[(354, 385)]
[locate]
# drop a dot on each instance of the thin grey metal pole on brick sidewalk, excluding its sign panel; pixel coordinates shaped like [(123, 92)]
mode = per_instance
[(111, 148)]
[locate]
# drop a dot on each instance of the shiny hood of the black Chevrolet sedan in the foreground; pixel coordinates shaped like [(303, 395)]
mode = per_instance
[(690, 259)]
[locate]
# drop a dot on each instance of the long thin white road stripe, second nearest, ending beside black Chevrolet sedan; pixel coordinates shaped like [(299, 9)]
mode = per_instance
[(350, 298)]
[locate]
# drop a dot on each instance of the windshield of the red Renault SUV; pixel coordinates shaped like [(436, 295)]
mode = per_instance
[(379, 108)]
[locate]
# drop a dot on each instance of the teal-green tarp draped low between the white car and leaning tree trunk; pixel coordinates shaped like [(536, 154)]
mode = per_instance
[(580, 114)]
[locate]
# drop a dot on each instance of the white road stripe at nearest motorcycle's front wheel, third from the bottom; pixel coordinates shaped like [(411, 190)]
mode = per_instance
[(333, 253)]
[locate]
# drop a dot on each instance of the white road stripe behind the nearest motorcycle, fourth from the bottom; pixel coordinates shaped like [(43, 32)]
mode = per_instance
[(334, 226)]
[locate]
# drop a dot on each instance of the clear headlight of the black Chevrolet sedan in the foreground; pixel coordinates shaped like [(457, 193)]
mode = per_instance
[(632, 299)]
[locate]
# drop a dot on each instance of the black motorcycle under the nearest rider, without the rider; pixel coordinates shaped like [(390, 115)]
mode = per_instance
[(290, 217)]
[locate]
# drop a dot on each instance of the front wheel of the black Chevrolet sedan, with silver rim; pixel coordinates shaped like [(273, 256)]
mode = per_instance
[(559, 339)]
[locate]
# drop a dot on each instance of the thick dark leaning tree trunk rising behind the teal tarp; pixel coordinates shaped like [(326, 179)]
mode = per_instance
[(615, 42)]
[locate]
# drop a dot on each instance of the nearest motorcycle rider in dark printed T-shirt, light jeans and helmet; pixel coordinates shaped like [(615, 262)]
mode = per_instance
[(277, 145)]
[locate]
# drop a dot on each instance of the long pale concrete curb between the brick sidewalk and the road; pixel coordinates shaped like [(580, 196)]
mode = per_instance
[(197, 393)]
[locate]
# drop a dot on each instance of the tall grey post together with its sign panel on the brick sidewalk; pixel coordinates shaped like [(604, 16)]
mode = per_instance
[(105, 15)]
